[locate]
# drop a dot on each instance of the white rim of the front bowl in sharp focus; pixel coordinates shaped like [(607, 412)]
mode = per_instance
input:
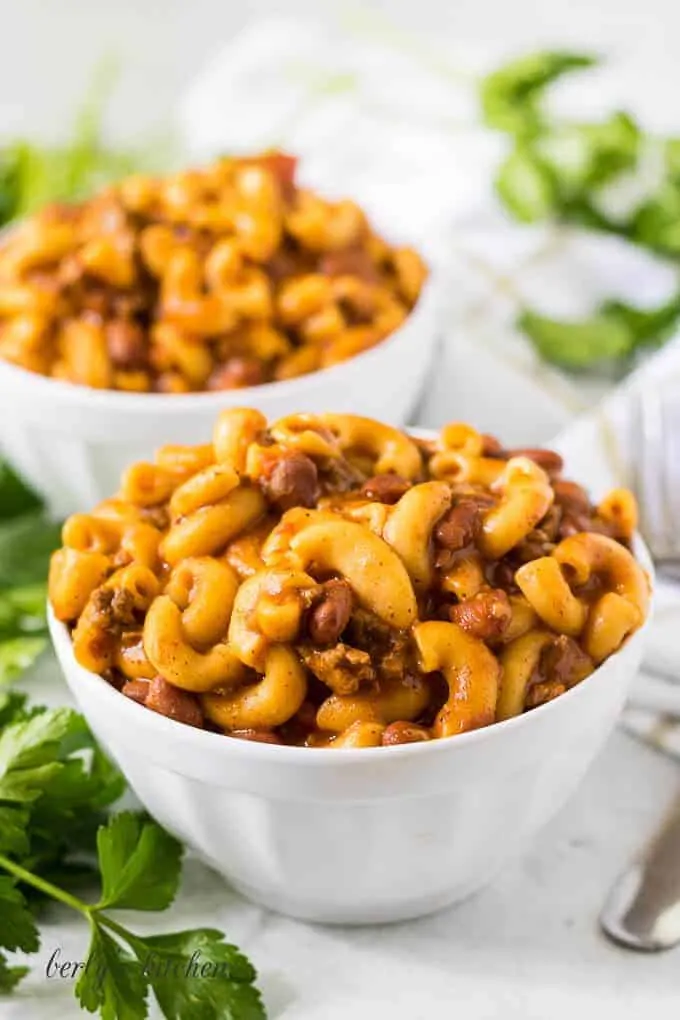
[(168, 730)]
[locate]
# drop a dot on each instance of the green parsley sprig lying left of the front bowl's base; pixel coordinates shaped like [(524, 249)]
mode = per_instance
[(56, 786)]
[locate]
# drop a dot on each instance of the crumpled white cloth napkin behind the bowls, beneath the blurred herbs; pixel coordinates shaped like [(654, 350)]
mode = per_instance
[(396, 125)]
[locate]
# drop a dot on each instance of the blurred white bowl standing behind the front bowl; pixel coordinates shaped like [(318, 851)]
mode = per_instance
[(72, 443)]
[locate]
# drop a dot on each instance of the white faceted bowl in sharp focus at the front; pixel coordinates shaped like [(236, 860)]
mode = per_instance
[(358, 836)]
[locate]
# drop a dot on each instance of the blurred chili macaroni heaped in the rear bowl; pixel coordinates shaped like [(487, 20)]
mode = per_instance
[(219, 279)]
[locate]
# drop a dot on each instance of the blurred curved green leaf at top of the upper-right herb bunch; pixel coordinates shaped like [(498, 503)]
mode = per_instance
[(511, 96)]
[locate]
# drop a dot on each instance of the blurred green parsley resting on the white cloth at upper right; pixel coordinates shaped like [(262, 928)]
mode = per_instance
[(561, 171)]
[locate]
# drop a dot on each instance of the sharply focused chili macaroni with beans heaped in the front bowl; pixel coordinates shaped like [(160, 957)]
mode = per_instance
[(331, 582)]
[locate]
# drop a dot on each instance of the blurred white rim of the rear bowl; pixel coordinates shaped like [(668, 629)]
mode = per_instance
[(170, 404)]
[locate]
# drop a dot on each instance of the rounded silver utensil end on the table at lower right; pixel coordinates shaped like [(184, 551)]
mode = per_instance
[(643, 910)]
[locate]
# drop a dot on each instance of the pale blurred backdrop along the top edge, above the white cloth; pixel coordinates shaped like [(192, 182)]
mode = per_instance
[(48, 48)]
